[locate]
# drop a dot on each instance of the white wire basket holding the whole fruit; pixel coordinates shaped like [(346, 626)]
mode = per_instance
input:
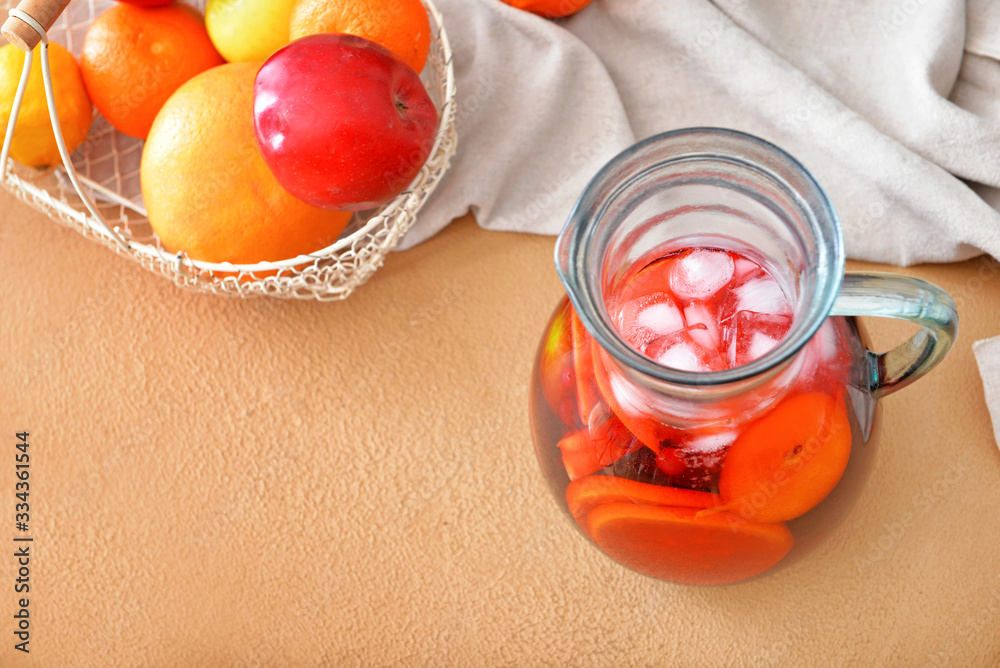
[(105, 202)]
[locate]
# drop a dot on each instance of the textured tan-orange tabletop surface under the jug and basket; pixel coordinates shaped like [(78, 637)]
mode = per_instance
[(263, 483)]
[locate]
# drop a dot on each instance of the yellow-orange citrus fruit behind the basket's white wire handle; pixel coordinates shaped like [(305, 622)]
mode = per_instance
[(34, 142)]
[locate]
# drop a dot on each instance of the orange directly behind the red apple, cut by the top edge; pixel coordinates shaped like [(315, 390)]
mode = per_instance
[(401, 26)]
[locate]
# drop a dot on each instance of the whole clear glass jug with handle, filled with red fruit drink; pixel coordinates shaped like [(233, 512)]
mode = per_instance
[(735, 446)]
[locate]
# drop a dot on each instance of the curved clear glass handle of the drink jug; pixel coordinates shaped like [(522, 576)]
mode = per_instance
[(907, 298)]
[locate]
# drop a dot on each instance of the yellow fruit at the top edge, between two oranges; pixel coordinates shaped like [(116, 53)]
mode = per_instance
[(248, 30)]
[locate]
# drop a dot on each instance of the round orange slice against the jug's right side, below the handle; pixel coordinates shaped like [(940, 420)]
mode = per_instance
[(788, 461)]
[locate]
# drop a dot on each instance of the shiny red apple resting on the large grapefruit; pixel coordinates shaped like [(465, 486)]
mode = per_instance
[(341, 121)]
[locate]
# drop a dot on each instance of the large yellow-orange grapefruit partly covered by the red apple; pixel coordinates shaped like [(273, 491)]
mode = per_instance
[(206, 187)]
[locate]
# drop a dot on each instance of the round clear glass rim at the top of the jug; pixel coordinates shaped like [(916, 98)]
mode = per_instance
[(576, 240)]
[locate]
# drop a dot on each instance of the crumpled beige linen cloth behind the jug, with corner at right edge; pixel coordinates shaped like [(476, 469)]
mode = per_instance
[(894, 105)]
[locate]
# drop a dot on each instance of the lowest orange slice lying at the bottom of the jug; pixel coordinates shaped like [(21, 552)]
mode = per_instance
[(677, 544)]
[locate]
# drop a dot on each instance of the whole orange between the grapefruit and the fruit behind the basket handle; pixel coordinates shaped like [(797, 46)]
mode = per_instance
[(134, 58)]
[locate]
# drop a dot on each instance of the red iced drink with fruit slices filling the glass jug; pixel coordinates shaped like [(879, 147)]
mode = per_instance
[(696, 503)]
